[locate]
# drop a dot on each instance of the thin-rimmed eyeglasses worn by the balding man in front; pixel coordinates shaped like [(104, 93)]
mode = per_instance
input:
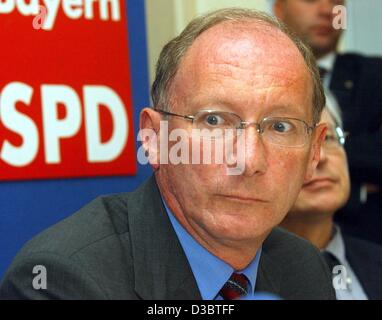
[(281, 131)]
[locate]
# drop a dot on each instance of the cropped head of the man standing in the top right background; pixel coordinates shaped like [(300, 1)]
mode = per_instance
[(312, 20)]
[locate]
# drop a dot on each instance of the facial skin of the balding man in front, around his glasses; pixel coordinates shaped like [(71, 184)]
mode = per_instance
[(256, 72)]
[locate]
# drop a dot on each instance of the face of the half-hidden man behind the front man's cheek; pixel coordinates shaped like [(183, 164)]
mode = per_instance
[(329, 188)]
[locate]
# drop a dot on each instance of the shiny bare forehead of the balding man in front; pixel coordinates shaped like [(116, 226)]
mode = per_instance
[(241, 56)]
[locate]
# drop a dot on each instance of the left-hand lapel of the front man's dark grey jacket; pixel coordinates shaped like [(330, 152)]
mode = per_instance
[(161, 268)]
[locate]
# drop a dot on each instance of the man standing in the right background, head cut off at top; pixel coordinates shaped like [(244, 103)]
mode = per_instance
[(355, 81)]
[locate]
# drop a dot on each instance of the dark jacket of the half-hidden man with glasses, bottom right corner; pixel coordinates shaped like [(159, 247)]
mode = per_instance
[(365, 259)]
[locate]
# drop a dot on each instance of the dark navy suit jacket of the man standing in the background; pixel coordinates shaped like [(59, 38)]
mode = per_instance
[(357, 84)]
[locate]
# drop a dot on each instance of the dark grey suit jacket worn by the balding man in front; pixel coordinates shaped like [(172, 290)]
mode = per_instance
[(124, 247)]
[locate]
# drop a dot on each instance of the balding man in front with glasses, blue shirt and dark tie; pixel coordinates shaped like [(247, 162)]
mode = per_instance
[(193, 231)]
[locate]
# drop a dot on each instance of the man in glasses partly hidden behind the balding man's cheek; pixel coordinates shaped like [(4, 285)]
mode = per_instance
[(312, 218)]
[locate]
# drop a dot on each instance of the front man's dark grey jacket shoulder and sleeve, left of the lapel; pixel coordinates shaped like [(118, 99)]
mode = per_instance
[(85, 256)]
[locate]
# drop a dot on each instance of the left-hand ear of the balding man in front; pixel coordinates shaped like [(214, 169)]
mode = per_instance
[(149, 125)]
